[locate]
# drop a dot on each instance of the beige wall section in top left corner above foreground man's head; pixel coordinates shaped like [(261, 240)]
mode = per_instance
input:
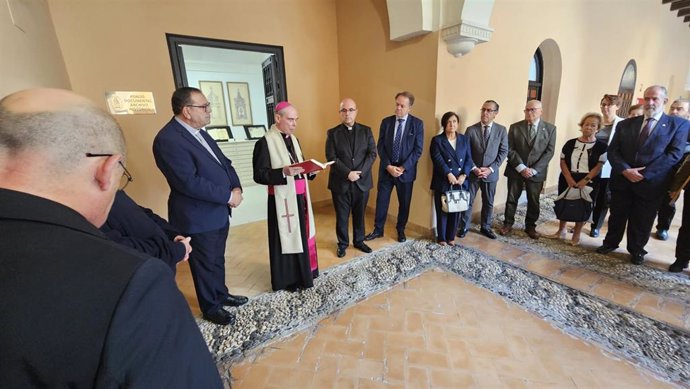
[(30, 56)]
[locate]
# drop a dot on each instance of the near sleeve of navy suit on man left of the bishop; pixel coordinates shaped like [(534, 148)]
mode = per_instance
[(181, 171)]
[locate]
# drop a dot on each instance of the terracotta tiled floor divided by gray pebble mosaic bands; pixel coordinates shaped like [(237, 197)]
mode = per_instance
[(438, 330)]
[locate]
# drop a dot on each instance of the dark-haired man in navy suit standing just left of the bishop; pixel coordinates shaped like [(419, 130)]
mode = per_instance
[(204, 188)]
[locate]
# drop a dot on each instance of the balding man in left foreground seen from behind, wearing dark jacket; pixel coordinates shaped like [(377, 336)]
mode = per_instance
[(79, 310)]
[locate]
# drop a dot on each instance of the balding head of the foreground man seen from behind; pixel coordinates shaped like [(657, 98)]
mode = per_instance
[(58, 145)]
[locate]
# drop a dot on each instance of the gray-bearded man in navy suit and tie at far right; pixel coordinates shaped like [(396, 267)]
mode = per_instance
[(642, 155)]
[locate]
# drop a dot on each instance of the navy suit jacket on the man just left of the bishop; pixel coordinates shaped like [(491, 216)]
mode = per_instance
[(199, 186)]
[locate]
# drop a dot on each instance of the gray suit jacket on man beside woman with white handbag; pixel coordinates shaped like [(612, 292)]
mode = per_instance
[(490, 155)]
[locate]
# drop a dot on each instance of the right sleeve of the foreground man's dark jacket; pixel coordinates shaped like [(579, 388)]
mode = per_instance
[(153, 341)]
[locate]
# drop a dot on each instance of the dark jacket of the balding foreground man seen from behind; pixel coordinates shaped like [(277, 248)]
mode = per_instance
[(79, 310)]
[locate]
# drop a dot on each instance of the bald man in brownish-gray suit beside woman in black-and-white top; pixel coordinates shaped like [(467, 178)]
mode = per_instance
[(531, 145)]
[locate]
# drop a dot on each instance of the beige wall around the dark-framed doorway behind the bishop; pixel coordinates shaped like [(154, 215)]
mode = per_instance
[(120, 45)]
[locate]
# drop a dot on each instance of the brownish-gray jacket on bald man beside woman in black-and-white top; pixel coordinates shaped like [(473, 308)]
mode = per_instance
[(537, 156)]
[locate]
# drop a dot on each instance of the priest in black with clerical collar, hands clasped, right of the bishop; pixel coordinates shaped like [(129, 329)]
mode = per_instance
[(351, 145)]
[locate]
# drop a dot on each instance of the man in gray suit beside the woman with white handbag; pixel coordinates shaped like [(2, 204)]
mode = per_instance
[(489, 143)]
